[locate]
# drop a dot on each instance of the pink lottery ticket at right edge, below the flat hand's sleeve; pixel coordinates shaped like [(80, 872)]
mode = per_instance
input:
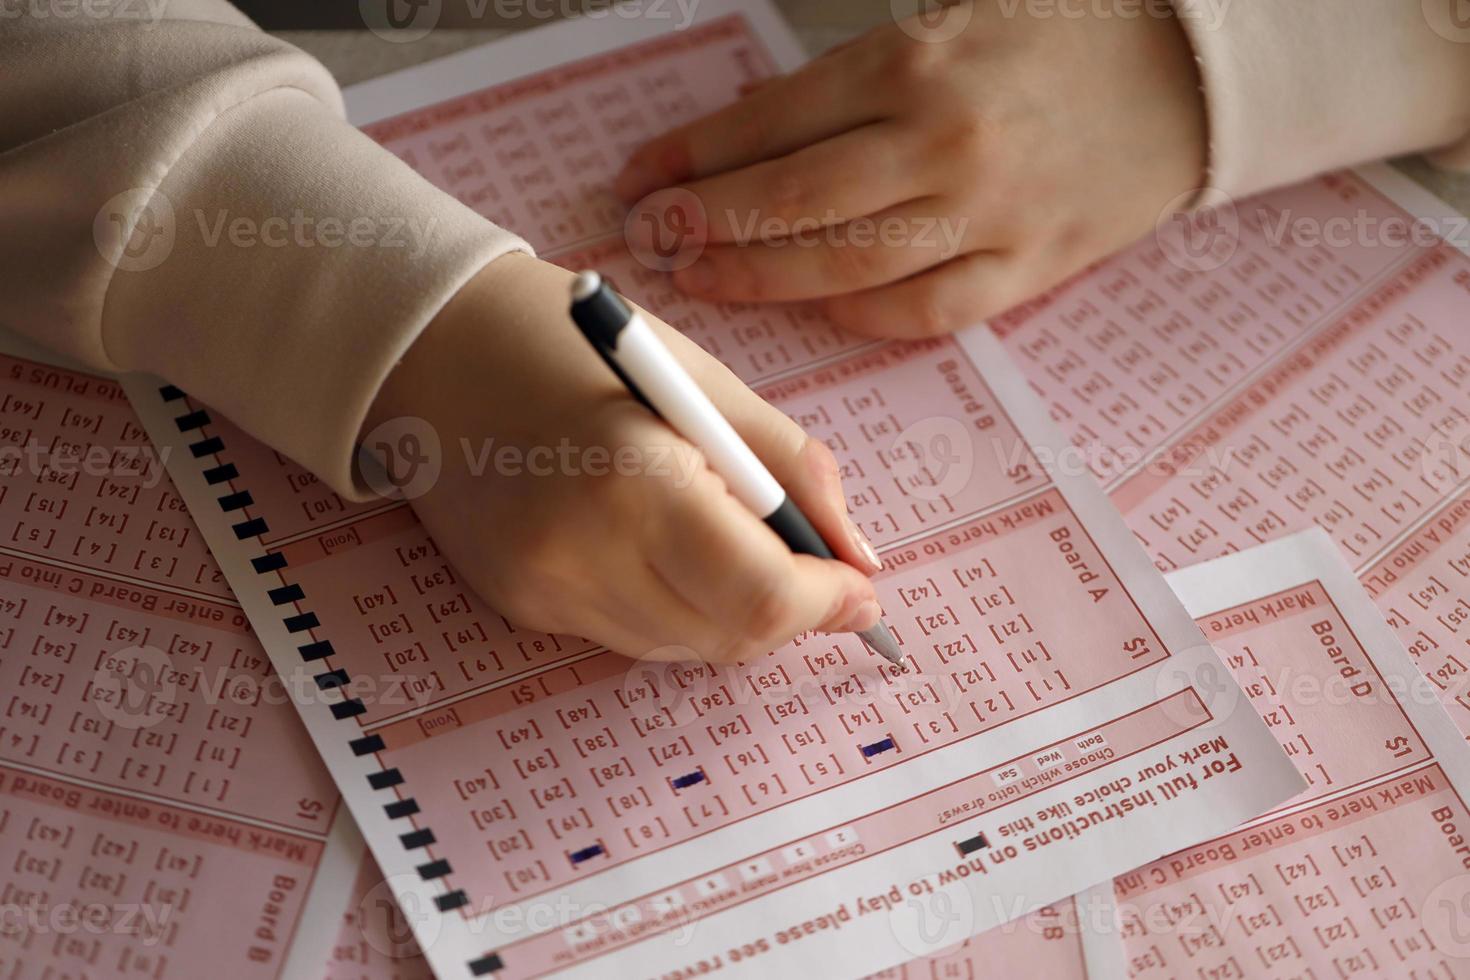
[(1312, 370)]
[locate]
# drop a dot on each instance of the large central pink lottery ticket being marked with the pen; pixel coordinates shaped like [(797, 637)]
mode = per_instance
[(539, 804)]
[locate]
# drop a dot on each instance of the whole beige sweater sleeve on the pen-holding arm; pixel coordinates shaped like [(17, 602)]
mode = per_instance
[(183, 196)]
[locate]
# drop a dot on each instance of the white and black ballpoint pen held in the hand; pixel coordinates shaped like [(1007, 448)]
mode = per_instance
[(656, 378)]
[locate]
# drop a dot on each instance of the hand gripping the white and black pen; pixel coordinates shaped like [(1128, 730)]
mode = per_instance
[(623, 536)]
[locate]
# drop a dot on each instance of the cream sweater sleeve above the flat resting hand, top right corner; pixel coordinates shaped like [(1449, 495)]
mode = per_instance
[(1297, 87)]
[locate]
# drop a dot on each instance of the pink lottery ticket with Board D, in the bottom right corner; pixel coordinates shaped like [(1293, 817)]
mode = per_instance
[(1366, 873)]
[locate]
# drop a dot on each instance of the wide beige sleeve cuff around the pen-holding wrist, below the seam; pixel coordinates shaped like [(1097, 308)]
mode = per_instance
[(305, 262)]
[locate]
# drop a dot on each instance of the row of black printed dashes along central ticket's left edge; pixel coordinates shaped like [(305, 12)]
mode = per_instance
[(234, 503)]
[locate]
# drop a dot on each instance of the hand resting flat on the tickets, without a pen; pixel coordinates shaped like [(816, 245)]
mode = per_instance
[(934, 173)]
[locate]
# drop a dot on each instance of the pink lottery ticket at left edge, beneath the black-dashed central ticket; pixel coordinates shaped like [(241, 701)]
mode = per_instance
[(162, 813)]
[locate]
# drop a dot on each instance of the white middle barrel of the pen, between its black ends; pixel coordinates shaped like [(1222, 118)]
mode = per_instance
[(692, 414)]
